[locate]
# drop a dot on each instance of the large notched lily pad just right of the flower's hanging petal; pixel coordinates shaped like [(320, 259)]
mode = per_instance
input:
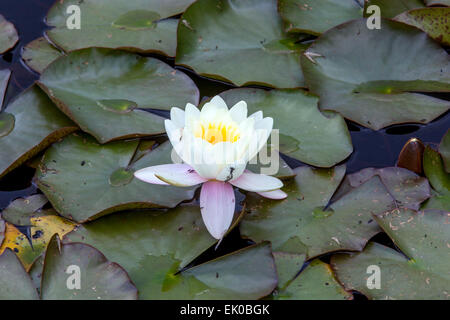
[(306, 222)]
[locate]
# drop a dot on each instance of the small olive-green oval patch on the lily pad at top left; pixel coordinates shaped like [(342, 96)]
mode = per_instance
[(137, 20)]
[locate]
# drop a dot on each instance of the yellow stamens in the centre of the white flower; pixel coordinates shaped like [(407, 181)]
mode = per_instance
[(217, 132)]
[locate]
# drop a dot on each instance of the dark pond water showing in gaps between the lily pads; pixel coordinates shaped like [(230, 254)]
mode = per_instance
[(372, 148)]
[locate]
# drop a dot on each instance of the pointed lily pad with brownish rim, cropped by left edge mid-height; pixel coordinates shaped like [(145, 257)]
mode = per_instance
[(37, 124)]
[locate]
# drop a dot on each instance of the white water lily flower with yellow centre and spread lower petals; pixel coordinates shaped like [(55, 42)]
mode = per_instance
[(215, 145)]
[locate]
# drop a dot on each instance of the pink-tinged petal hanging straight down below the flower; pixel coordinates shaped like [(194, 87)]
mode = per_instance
[(217, 204)]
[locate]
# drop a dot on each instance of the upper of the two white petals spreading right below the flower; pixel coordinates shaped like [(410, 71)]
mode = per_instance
[(257, 182)]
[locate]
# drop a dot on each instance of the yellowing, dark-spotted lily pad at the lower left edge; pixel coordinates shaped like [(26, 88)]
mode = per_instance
[(31, 240)]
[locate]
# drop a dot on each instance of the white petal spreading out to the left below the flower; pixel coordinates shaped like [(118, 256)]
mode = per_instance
[(180, 175)]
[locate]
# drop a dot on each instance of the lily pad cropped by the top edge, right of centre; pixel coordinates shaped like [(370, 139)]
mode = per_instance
[(317, 16)]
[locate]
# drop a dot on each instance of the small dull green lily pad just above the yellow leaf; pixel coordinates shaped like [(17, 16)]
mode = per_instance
[(21, 210)]
